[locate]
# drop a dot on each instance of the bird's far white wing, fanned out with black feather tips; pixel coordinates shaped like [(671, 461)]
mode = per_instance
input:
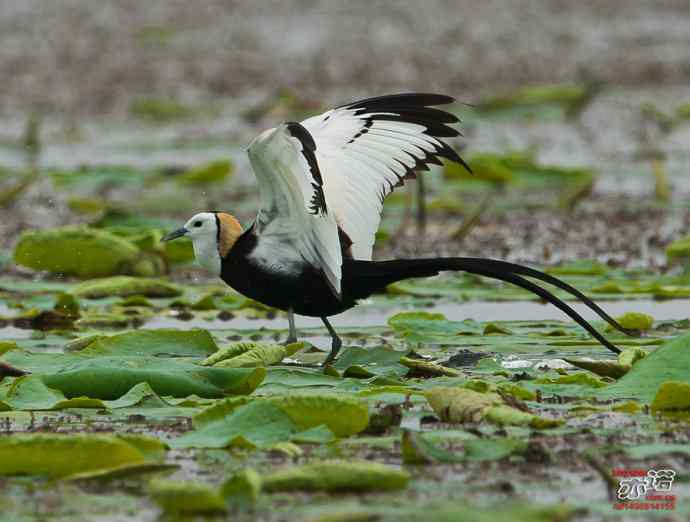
[(367, 148)]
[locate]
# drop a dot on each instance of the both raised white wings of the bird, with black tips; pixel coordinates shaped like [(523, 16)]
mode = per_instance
[(331, 173)]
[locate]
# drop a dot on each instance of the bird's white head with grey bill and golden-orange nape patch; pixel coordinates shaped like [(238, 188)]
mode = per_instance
[(213, 234)]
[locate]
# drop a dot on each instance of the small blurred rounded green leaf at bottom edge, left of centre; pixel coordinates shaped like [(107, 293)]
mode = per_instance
[(176, 496)]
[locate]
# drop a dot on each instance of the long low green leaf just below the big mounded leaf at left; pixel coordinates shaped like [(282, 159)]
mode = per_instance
[(124, 286)]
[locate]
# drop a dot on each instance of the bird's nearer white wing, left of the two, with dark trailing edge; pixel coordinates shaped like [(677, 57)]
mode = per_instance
[(294, 209)]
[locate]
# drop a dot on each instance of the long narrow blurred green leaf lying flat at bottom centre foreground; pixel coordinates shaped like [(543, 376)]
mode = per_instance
[(337, 476)]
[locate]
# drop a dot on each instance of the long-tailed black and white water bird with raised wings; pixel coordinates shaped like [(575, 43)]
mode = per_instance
[(322, 182)]
